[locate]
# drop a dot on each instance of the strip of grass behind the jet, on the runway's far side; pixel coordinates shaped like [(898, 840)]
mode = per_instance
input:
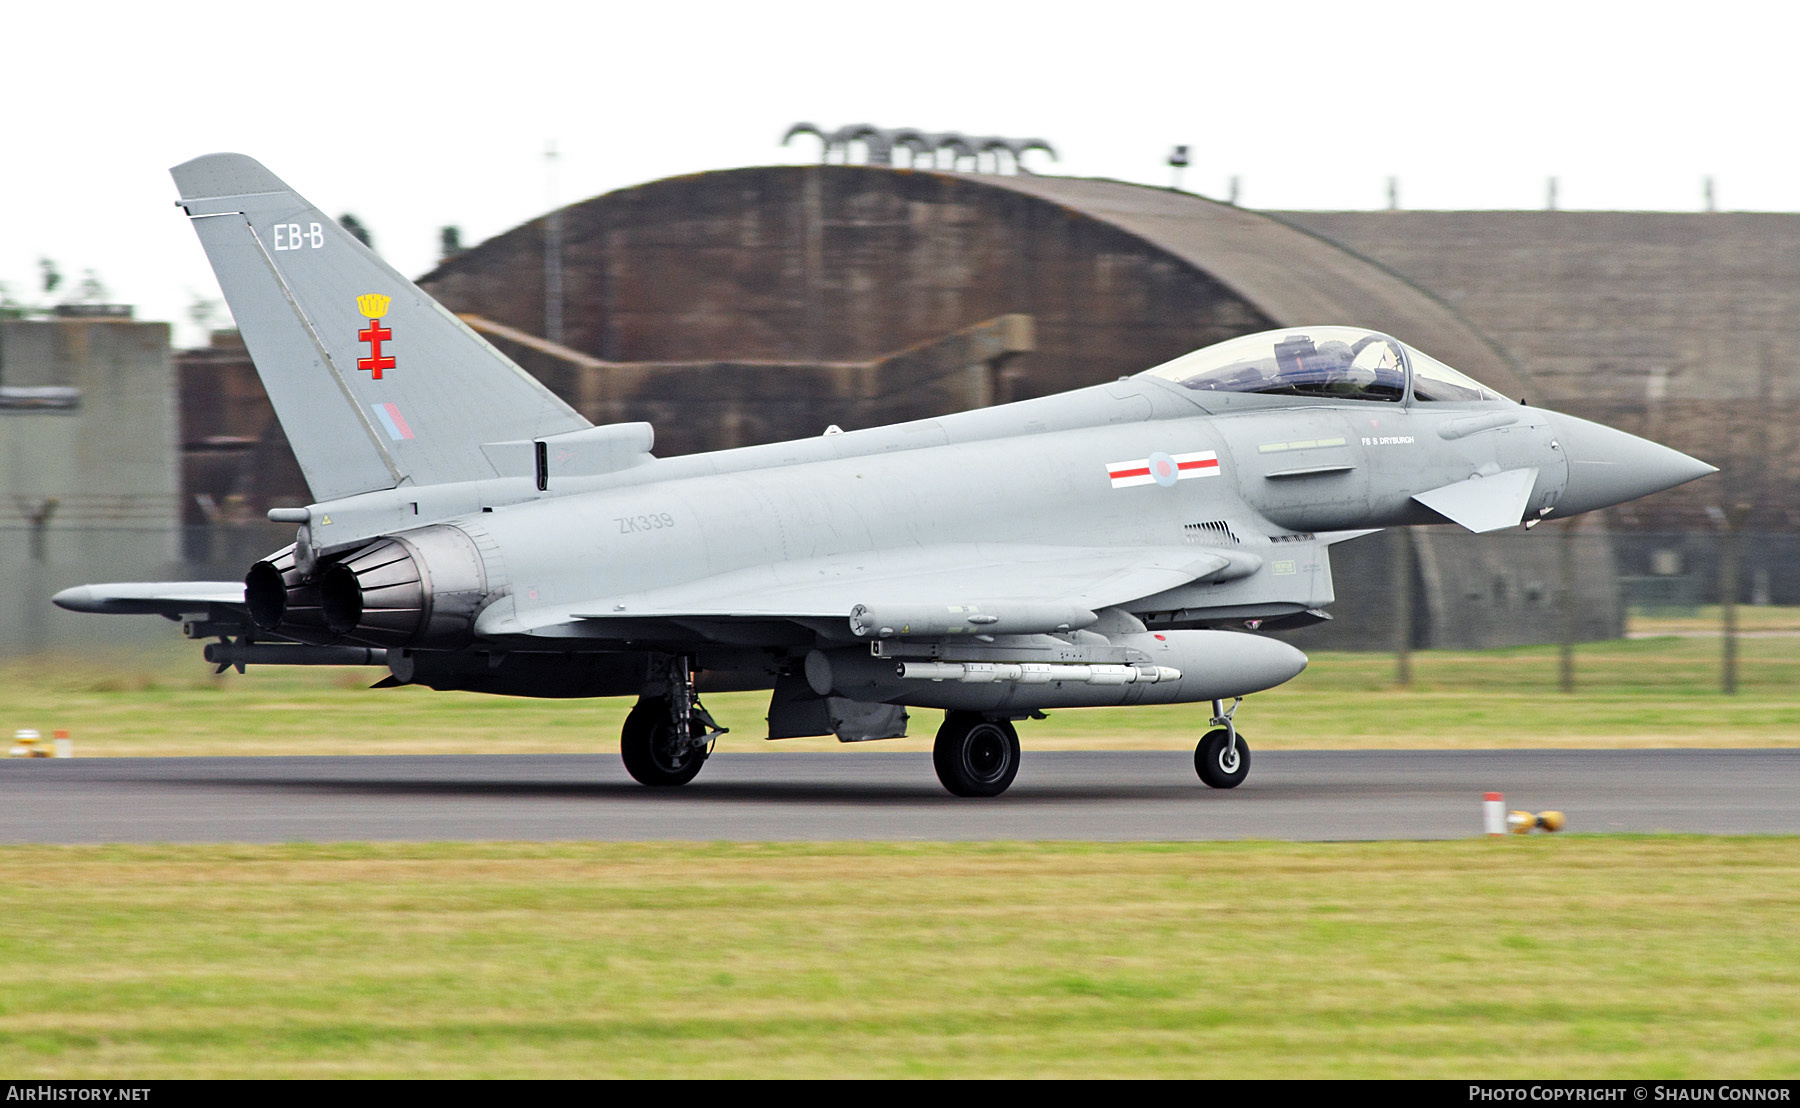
[(1660, 692)]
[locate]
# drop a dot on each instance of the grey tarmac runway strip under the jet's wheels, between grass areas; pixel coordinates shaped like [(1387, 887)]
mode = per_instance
[(886, 796)]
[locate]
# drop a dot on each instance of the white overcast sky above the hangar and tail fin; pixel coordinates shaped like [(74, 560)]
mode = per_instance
[(415, 116)]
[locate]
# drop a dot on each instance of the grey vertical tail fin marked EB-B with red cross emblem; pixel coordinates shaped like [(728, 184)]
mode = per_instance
[(375, 384)]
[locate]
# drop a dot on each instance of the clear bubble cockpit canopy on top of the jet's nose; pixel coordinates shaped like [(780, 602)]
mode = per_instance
[(1324, 364)]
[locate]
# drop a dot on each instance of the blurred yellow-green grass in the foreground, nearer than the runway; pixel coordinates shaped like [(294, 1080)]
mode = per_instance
[(1590, 956)]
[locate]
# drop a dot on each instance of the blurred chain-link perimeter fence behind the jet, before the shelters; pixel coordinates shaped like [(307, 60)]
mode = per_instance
[(1452, 589)]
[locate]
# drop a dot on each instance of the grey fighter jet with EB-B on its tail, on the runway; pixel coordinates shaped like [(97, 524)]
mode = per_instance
[(1120, 544)]
